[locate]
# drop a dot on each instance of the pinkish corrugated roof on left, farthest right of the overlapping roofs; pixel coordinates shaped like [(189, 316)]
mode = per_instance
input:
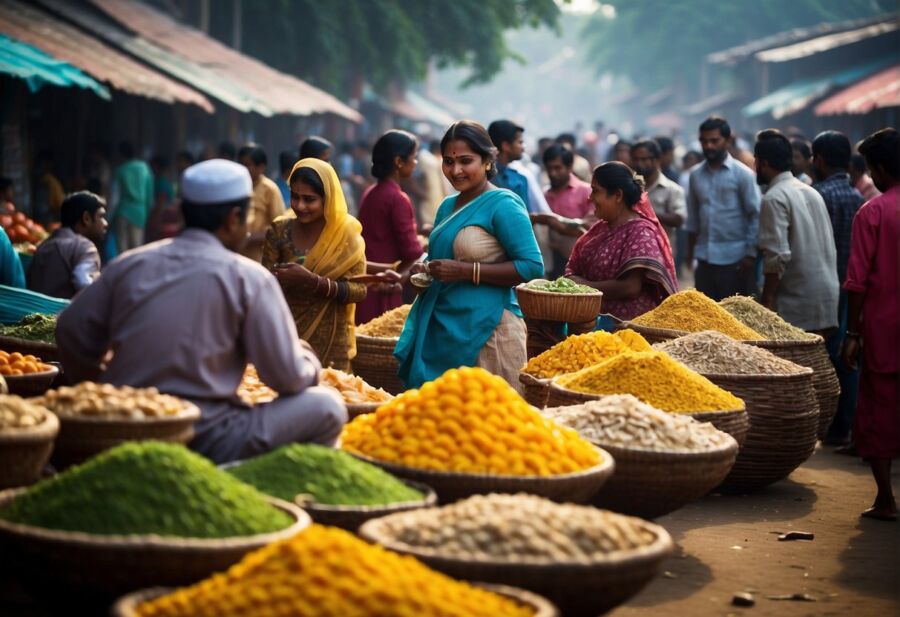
[(282, 93)]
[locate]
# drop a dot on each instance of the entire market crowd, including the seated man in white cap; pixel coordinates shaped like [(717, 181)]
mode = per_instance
[(810, 228)]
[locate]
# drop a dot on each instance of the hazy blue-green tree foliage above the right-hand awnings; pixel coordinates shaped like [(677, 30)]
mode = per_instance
[(656, 42)]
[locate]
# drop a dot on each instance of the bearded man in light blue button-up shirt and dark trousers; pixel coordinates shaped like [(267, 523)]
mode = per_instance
[(723, 203)]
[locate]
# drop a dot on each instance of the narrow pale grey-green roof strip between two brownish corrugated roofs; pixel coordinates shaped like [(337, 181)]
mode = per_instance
[(209, 82)]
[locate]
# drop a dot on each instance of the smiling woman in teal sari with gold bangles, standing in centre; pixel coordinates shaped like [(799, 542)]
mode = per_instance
[(481, 247)]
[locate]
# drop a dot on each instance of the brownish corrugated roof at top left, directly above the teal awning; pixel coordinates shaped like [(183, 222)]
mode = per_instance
[(52, 36)]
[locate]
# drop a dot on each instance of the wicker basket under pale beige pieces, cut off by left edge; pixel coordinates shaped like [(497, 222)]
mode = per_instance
[(25, 451)]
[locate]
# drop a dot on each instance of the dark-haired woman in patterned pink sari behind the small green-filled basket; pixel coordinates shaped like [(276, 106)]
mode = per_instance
[(626, 254)]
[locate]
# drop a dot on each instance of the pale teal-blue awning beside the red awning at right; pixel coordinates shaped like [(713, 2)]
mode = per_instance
[(794, 97)]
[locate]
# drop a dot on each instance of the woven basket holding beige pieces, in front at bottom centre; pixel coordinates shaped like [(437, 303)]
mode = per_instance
[(578, 589)]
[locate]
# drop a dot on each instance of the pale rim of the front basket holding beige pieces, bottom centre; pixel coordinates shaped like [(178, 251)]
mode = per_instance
[(661, 545)]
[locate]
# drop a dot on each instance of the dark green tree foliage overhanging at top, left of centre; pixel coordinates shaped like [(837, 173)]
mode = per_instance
[(334, 43)]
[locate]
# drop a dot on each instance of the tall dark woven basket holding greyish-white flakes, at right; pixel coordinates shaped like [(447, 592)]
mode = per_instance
[(784, 416)]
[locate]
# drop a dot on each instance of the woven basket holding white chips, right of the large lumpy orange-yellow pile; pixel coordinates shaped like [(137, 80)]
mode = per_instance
[(649, 484)]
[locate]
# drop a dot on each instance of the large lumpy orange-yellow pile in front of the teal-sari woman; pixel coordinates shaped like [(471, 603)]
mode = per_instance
[(471, 421)]
